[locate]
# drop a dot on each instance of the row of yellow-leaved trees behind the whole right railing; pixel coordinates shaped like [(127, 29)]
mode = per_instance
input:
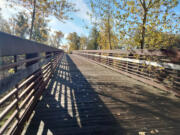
[(132, 24)]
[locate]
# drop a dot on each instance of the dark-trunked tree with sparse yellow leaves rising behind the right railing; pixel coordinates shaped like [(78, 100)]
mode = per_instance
[(148, 15)]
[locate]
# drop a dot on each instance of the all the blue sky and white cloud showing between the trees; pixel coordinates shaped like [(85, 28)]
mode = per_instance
[(78, 24)]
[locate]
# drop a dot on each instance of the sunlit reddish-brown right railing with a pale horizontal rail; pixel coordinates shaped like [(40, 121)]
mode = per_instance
[(159, 68)]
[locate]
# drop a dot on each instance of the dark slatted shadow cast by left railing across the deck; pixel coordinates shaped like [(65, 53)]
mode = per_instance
[(71, 106)]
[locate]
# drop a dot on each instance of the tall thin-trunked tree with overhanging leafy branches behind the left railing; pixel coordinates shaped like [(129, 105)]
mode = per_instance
[(59, 8)]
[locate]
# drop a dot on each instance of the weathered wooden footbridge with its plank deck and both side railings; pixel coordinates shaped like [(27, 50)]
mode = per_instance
[(44, 91)]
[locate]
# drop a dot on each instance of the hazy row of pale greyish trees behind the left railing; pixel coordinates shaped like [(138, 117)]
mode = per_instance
[(20, 26)]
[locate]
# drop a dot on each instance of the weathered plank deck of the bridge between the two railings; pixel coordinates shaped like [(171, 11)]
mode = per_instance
[(84, 98)]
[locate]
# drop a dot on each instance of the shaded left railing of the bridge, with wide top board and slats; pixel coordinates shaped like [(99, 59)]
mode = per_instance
[(26, 68)]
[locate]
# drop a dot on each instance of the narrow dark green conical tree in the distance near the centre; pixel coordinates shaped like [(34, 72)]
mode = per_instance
[(93, 39)]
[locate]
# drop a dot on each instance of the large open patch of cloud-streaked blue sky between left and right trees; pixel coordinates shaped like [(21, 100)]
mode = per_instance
[(79, 22)]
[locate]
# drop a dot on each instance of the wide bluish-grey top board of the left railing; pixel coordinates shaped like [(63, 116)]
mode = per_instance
[(11, 45)]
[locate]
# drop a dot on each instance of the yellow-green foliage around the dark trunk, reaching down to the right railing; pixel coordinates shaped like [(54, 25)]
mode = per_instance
[(147, 23)]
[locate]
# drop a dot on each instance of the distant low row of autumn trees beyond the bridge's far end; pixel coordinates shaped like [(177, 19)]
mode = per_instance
[(95, 41)]
